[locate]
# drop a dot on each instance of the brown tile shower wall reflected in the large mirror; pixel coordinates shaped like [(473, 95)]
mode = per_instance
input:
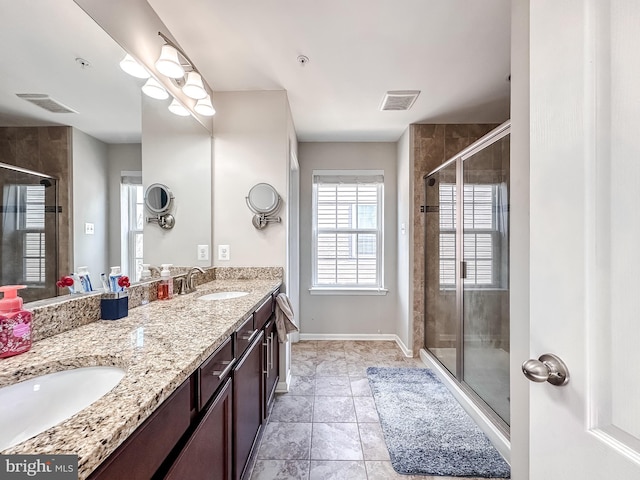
[(45, 150)]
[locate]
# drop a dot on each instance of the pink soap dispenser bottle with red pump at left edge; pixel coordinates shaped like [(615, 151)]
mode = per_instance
[(15, 323)]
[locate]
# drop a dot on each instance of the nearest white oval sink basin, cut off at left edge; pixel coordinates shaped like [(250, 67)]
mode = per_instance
[(32, 406)]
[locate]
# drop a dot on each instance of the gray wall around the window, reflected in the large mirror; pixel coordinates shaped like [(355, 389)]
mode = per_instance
[(122, 157)]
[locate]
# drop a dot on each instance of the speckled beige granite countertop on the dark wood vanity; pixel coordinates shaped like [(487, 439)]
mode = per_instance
[(158, 345)]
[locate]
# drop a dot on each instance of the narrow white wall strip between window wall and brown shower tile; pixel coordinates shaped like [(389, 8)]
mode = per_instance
[(404, 321)]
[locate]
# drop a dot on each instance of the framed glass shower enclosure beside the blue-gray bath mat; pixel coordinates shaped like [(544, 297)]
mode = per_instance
[(467, 272)]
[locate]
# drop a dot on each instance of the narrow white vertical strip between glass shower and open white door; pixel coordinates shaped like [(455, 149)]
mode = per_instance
[(519, 238)]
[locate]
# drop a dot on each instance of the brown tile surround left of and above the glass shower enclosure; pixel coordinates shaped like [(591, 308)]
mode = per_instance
[(432, 145)]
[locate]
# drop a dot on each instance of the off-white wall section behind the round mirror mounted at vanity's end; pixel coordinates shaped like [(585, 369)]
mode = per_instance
[(251, 145)]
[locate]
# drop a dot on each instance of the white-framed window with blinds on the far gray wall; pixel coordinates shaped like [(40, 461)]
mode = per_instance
[(347, 229)]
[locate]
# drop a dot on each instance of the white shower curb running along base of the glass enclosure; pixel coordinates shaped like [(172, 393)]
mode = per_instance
[(502, 443)]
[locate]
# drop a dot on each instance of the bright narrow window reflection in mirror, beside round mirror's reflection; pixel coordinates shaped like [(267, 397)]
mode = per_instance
[(132, 225)]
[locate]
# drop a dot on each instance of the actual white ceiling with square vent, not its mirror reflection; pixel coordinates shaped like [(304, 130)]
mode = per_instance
[(456, 52)]
